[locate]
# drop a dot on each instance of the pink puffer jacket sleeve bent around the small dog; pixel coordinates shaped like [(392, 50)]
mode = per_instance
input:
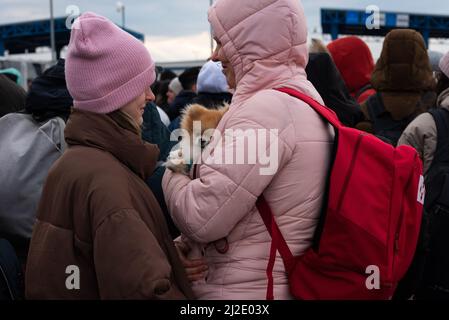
[(208, 208)]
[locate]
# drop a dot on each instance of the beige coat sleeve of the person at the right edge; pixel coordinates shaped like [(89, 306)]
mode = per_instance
[(421, 134)]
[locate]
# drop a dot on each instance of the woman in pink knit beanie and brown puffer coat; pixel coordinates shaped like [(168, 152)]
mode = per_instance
[(100, 232)]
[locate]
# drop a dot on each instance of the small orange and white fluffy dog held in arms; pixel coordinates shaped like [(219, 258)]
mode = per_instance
[(180, 158)]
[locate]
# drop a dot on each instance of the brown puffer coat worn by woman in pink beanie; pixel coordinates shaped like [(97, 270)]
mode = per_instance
[(97, 213)]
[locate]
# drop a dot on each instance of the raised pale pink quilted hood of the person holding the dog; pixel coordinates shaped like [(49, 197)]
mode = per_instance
[(265, 41)]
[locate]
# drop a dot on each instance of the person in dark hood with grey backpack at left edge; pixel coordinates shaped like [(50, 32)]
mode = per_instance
[(30, 142)]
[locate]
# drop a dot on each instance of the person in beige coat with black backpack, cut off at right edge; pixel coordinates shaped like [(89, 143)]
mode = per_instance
[(429, 135)]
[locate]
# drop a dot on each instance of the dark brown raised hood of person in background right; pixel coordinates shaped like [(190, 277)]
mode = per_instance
[(404, 64)]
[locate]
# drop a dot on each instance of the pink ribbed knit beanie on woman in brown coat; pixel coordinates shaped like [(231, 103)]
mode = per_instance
[(106, 67)]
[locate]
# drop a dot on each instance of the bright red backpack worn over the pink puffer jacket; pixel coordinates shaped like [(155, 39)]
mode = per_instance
[(369, 225)]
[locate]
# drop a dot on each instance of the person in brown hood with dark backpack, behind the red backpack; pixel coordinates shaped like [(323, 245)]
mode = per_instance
[(404, 84)]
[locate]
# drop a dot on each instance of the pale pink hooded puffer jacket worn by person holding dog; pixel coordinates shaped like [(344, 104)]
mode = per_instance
[(265, 41)]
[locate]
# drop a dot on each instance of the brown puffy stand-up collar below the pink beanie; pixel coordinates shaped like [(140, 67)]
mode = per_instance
[(100, 131)]
